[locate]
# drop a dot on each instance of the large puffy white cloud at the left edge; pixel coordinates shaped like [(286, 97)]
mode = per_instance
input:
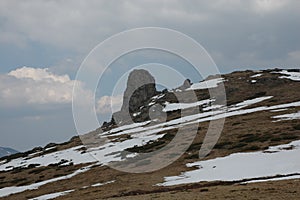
[(31, 86)]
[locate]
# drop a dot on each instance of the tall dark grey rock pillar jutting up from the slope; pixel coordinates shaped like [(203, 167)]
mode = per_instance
[(140, 88)]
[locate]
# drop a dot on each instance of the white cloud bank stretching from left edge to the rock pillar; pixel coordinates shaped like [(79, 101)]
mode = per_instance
[(35, 86)]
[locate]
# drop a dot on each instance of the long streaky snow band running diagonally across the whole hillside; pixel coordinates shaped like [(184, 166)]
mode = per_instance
[(140, 134)]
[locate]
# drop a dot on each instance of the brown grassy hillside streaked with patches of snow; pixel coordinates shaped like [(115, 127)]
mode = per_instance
[(255, 157)]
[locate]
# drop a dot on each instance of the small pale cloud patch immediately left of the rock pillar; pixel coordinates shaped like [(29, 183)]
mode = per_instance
[(109, 104)]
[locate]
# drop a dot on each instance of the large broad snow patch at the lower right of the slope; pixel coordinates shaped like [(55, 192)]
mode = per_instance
[(239, 166)]
